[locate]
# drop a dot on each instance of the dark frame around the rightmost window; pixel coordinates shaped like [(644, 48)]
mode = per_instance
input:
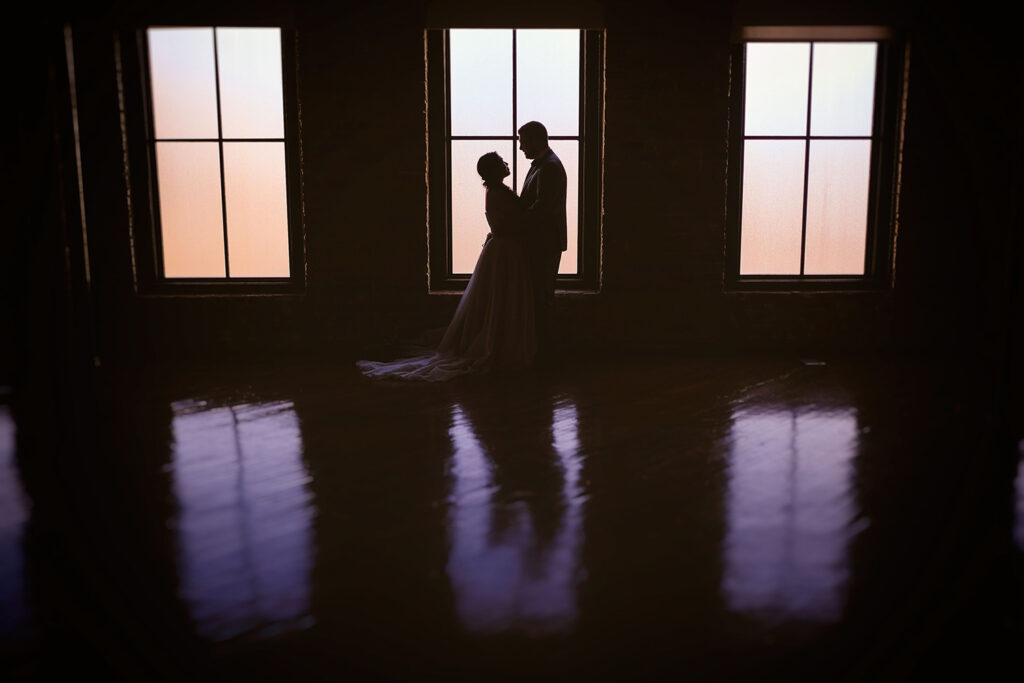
[(886, 139)]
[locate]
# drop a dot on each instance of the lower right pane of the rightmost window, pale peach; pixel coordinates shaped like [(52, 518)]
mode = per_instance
[(837, 207)]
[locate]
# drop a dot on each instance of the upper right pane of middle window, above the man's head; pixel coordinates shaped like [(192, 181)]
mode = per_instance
[(548, 79)]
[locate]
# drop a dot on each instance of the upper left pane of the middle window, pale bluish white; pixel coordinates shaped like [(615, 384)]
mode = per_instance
[(482, 82)]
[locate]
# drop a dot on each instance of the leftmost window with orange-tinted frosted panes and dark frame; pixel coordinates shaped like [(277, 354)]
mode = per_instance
[(215, 142)]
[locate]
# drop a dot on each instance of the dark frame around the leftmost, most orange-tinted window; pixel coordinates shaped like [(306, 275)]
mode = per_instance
[(141, 174)]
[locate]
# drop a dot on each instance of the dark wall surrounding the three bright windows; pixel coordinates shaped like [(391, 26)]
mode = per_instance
[(667, 107)]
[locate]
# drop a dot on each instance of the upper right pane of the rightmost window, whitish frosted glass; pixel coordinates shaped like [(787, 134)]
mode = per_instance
[(843, 89)]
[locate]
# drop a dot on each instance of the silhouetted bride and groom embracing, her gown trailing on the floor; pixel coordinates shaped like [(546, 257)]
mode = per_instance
[(503, 321)]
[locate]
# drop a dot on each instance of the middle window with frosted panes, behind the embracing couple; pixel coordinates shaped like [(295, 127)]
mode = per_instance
[(484, 86)]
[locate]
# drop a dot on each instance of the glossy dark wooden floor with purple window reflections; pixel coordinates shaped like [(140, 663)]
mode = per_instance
[(616, 519)]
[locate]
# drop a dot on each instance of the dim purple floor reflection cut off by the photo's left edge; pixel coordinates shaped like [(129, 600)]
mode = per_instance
[(14, 516)]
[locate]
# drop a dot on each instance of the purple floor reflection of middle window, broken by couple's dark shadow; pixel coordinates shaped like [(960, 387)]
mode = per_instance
[(517, 520)]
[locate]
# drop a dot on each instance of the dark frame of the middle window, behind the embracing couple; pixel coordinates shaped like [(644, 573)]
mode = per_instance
[(591, 136)]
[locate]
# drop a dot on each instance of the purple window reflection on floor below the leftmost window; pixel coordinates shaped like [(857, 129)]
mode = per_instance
[(245, 517)]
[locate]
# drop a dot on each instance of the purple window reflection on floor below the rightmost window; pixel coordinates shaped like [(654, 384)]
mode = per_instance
[(790, 510)]
